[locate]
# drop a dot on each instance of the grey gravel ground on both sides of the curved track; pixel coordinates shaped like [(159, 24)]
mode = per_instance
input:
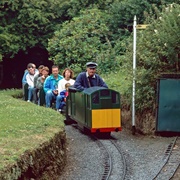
[(144, 155)]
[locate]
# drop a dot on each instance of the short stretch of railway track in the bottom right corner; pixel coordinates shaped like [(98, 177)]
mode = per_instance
[(171, 161)]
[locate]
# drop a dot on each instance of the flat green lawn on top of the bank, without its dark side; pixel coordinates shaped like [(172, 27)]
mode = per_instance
[(23, 126)]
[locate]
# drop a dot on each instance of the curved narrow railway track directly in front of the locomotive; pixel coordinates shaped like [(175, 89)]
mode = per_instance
[(115, 165)]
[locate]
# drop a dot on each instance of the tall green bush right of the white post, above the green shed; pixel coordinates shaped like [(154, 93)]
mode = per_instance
[(158, 50)]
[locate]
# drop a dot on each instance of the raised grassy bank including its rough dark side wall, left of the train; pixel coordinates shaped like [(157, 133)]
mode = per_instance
[(32, 139)]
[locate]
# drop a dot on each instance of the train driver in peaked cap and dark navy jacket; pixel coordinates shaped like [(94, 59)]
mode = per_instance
[(89, 78)]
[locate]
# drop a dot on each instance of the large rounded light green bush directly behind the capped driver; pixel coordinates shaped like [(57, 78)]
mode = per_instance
[(80, 40)]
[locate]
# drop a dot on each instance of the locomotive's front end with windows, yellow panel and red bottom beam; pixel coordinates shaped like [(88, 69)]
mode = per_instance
[(103, 111)]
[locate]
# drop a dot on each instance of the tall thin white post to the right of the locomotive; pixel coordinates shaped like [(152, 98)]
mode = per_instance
[(134, 75)]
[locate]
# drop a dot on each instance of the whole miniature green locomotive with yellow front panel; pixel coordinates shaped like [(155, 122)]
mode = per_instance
[(97, 109)]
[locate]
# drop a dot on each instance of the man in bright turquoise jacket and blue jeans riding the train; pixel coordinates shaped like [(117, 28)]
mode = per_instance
[(51, 85)]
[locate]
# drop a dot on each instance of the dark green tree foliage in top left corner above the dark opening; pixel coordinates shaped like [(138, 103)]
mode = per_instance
[(28, 23)]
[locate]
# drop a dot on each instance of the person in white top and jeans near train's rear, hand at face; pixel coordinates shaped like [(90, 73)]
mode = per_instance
[(30, 81)]
